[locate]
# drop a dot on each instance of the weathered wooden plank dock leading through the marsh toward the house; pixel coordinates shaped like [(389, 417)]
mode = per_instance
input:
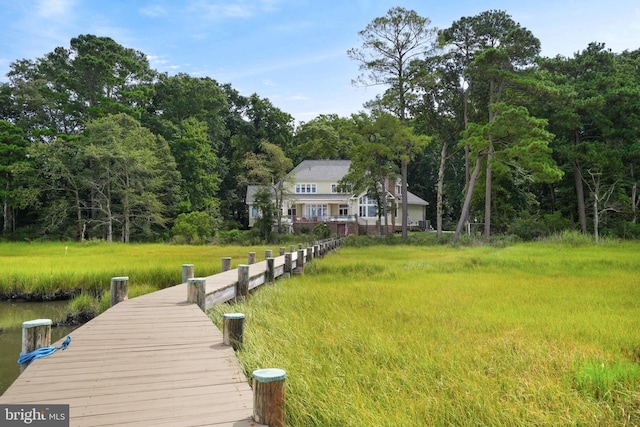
[(155, 360)]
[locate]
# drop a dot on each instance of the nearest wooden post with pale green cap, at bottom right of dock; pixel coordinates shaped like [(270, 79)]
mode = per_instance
[(268, 397)]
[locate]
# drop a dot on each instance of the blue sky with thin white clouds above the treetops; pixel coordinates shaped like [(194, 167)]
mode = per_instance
[(290, 51)]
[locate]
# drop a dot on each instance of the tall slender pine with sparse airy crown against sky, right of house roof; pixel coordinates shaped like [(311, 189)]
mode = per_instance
[(389, 45)]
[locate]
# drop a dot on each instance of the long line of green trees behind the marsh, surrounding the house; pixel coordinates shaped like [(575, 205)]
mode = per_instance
[(97, 145)]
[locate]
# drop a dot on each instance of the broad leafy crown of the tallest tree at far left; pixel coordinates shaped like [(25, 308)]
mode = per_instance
[(67, 87)]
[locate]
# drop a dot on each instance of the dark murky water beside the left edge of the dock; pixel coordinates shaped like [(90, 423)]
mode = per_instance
[(12, 314)]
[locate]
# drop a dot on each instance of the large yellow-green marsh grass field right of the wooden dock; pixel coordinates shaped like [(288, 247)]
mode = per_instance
[(530, 334)]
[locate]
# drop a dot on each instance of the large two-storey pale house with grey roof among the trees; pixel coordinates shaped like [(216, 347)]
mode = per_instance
[(313, 197)]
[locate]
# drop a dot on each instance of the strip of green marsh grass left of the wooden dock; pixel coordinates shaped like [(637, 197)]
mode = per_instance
[(48, 268)]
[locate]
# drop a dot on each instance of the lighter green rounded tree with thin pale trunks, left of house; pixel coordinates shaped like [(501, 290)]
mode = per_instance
[(127, 176)]
